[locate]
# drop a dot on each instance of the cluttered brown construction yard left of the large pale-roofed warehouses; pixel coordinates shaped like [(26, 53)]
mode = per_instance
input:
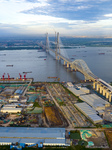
[(39, 104)]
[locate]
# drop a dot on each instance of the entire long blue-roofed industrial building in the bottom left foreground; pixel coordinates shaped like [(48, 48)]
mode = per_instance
[(47, 136)]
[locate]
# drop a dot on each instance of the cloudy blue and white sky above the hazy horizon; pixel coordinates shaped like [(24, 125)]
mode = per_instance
[(80, 18)]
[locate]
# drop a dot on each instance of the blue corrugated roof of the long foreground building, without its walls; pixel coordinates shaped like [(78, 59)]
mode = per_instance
[(32, 132)]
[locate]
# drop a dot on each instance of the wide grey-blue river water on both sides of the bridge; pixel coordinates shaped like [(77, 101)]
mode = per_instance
[(98, 59)]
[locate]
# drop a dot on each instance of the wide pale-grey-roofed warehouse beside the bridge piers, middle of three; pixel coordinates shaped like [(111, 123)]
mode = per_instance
[(96, 102)]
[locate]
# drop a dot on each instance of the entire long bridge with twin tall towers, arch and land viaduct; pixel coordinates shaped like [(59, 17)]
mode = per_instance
[(79, 65)]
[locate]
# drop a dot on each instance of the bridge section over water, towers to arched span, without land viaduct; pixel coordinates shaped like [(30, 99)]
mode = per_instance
[(77, 65)]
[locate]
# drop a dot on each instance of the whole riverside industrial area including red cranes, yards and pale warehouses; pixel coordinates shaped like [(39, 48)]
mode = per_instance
[(48, 104)]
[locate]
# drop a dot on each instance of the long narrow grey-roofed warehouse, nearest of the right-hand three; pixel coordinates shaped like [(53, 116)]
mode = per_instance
[(89, 112)]
